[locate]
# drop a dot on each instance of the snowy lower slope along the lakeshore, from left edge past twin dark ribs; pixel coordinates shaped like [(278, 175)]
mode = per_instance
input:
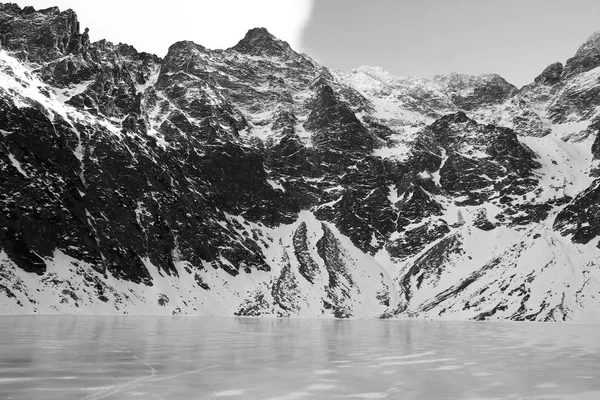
[(315, 272)]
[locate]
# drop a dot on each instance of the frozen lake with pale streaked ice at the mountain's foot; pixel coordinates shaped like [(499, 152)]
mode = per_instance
[(199, 358)]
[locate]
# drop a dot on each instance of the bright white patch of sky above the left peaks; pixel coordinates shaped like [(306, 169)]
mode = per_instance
[(153, 26)]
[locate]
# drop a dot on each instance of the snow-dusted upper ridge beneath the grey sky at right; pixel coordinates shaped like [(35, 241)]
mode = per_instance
[(562, 101)]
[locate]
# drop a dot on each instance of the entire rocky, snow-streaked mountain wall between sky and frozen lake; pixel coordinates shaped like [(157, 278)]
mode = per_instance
[(253, 181)]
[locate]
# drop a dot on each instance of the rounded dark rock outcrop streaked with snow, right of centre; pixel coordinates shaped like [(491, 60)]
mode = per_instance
[(481, 161)]
